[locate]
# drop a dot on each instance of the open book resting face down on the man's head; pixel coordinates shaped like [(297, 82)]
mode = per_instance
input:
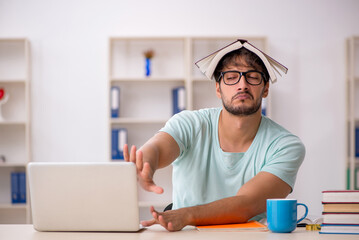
[(207, 65)]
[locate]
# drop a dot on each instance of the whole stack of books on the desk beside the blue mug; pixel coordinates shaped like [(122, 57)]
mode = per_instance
[(340, 212)]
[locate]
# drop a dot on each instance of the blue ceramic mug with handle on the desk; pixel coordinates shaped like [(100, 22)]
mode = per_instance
[(282, 214)]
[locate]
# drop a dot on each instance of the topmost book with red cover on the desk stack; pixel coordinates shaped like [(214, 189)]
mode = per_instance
[(340, 196)]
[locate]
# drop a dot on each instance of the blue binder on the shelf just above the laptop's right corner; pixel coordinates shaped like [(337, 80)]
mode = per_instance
[(118, 140)]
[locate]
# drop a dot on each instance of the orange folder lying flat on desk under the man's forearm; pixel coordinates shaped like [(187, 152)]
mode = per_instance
[(237, 227)]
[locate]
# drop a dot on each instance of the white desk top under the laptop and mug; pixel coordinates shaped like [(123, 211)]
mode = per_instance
[(27, 232)]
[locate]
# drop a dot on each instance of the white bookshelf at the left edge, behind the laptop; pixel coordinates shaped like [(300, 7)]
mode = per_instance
[(15, 128)]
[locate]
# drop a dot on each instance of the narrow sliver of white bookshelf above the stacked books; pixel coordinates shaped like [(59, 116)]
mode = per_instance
[(352, 111)]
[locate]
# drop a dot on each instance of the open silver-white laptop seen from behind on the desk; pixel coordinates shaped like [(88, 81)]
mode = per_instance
[(84, 196)]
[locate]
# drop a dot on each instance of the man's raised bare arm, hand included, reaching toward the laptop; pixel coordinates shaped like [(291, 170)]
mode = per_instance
[(158, 152)]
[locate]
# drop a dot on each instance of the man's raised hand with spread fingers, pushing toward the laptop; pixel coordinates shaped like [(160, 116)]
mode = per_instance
[(144, 170)]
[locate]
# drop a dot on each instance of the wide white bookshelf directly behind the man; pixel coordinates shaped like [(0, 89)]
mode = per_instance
[(146, 102)]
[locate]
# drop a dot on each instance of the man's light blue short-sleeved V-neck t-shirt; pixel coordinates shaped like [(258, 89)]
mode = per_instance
[(204, 173)]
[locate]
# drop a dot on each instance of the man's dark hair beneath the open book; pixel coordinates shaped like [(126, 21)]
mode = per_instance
[(249, 57)]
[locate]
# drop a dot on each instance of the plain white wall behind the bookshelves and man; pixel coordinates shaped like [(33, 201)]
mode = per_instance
[(69, 64)]
